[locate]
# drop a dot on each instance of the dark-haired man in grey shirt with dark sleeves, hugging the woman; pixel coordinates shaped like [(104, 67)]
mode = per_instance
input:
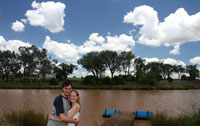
[(61, 106)]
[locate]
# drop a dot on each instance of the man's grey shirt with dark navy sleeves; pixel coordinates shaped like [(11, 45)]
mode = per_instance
[(60, 105)]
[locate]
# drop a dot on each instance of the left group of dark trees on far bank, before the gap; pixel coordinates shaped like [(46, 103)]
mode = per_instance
[(31, 62)]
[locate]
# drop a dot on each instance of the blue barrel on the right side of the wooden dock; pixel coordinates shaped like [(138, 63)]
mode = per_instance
[(144, 114)]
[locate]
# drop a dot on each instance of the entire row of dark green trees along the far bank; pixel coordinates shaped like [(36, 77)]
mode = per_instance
[(32, 62)]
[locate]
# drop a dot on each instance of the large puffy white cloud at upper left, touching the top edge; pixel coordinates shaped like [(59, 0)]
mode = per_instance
[(49, 15)]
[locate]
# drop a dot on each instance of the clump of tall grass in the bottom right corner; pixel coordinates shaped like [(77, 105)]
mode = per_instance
[(161, 119)]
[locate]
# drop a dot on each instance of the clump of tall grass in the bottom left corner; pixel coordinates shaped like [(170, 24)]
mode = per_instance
[(24, 118)]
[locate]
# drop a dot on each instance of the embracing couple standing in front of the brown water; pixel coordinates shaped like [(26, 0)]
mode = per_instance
[(66, 107)]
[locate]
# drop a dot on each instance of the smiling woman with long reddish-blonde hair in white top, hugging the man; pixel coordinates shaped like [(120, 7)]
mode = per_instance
[(74, 112)]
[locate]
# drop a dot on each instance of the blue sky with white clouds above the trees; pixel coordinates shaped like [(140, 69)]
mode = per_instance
[(156, 30)]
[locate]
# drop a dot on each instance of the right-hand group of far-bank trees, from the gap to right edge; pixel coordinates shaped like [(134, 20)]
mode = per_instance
[(97, 63)]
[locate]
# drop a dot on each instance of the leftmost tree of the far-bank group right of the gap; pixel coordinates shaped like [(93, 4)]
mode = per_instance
[(94, 63)]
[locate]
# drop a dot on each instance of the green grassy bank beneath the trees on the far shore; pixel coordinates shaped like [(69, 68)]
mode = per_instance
[(77, 84)]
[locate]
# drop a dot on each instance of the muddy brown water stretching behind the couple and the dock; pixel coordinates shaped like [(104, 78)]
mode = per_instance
[(174, 102)]
